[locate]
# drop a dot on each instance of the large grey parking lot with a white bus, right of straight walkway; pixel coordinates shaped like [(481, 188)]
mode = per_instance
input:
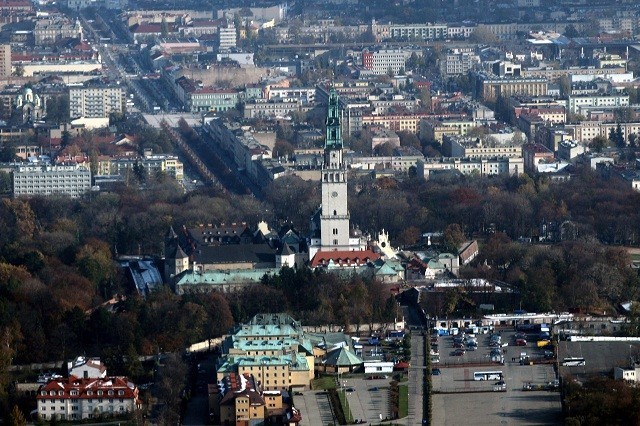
[(489, 402)]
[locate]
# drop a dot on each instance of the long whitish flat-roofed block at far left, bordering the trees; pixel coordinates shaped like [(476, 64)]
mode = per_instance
[(73, 181)]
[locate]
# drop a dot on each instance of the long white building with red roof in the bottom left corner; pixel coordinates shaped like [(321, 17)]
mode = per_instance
[(85, 398)]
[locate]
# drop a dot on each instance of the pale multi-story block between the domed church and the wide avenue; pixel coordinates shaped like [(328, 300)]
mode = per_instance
[(96, 100)]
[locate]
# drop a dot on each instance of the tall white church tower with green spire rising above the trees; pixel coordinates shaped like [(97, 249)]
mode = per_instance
[(334, 218)]
